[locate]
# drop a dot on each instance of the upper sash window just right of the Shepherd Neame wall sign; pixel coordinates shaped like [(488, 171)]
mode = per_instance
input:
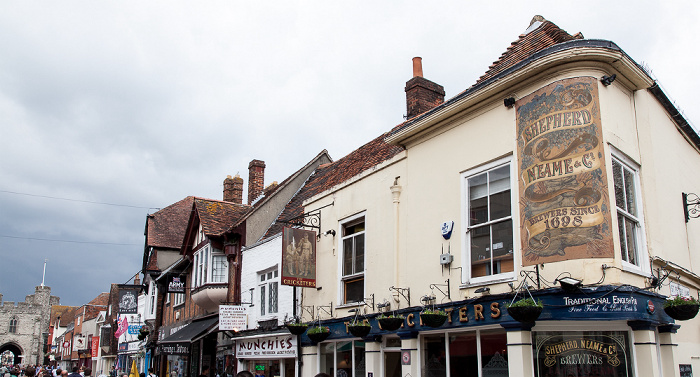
[(628, 210)]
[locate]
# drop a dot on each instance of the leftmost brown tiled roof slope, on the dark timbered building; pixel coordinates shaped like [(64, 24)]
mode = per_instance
[(166, 228)]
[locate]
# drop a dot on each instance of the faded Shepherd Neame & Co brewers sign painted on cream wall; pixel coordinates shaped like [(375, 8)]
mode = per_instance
[(563, 190)]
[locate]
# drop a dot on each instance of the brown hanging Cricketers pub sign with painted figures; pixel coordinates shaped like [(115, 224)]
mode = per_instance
[(299, 257)]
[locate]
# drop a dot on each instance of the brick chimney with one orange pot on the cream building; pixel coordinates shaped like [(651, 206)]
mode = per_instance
[(421, 94)]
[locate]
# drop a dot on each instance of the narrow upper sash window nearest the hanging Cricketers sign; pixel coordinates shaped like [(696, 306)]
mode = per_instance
[(353, 260)]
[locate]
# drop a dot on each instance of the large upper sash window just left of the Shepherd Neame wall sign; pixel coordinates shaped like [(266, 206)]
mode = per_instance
[(489, 234)]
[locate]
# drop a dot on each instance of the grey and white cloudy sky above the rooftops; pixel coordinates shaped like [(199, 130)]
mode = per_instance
[(110, 110)]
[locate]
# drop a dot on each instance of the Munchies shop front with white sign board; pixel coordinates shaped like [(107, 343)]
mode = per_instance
[(269, 355)]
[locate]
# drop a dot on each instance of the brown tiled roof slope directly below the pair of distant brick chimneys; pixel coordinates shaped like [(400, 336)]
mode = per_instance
[(217, 216)]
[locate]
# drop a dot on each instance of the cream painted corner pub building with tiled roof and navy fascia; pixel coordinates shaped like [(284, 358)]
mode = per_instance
[(564, 160)]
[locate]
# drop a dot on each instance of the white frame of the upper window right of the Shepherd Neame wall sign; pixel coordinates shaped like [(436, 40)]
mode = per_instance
[(640, 234)]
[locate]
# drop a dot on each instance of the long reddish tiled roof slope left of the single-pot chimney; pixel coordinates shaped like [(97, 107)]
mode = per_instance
[(329, 175)]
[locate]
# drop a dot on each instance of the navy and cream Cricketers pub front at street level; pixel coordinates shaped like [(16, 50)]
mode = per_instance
[(602, 331)]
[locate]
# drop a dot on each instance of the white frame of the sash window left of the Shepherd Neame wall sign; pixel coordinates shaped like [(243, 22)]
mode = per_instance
[(466, 237)]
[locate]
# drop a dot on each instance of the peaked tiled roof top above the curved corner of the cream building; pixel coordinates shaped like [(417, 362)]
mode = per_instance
[(545, 35)]
